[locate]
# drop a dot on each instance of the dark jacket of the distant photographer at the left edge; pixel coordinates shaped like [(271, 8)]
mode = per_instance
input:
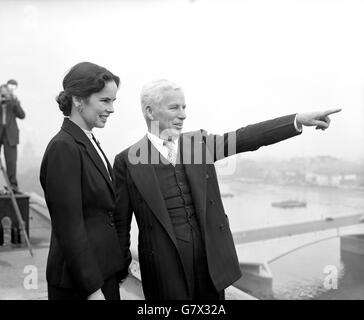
[(13, 111)]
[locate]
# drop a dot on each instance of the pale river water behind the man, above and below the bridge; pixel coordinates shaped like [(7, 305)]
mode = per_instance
[(301, 274)]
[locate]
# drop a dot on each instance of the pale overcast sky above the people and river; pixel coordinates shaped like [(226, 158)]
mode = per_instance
[(239, 62)]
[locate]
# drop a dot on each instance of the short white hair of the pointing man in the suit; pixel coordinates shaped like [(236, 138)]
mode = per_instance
[(153, 92)]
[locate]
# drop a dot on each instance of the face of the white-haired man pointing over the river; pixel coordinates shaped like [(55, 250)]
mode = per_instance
[(170, 113)]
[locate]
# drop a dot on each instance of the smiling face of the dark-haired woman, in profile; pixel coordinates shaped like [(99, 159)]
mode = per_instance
[(97, 108)]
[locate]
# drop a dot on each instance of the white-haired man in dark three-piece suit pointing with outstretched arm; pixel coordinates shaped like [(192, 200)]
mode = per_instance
[(168, 180)]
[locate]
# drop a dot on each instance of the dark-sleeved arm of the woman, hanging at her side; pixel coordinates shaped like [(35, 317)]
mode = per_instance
[(63, 192)]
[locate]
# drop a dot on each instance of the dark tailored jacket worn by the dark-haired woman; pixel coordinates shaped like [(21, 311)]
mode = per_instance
[(84, 248)]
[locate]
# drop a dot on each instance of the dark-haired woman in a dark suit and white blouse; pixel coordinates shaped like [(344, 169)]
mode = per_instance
[(85, 260)]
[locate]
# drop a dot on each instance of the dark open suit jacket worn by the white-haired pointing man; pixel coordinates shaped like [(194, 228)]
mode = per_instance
[(138, 191)]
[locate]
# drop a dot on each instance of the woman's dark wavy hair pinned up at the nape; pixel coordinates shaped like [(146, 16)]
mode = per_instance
[(82, 81)]
